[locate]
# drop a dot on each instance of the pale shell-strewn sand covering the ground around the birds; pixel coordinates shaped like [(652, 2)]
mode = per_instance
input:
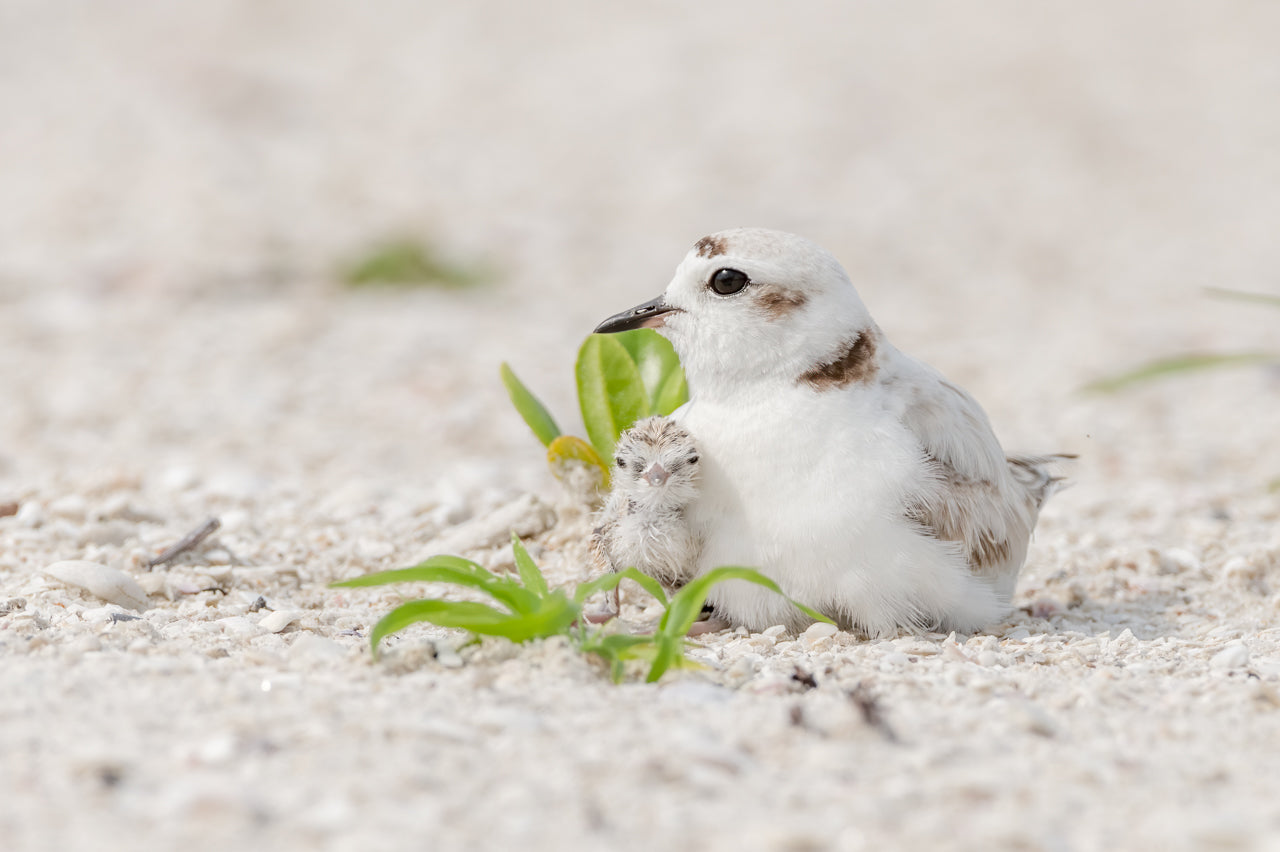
[(1027, 199)]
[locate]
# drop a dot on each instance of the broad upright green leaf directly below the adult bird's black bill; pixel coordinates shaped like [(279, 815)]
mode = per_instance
[(610, 391)]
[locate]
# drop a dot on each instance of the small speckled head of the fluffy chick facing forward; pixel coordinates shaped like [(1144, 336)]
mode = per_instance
[(657, 465)]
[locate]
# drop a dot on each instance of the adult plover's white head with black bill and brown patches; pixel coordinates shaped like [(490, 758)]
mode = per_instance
[(752, 306)]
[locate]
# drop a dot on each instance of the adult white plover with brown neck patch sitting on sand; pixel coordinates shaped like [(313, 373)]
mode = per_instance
[(861, 480)]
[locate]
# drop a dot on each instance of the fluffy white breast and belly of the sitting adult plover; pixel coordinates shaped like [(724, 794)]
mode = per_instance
[(811, 489)]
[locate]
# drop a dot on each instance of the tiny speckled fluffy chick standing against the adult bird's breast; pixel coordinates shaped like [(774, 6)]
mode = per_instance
[(643, 523)]
